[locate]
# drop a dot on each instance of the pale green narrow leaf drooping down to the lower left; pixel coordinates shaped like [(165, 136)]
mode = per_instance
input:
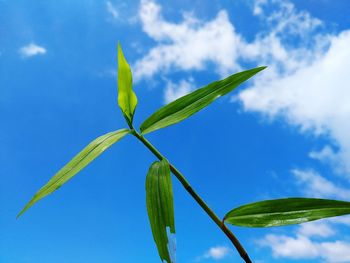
[(82, 159)]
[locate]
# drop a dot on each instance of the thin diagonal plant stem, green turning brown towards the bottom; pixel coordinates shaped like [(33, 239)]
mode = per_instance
[(198, 199)]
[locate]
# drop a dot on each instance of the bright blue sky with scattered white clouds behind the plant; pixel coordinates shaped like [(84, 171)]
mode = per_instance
[(284, 133)]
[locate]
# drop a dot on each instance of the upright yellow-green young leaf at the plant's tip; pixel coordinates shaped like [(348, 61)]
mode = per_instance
[(127, 99)]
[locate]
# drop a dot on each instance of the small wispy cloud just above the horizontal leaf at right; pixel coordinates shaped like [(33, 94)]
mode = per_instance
[(315, 185)]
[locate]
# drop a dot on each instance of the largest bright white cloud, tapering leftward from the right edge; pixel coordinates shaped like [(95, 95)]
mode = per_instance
[(315, 96)]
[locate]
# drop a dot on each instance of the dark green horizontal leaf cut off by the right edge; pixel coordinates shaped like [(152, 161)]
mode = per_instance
[(286, 211)]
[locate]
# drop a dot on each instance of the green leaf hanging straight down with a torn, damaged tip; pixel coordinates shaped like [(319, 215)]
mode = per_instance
[(160, 208)]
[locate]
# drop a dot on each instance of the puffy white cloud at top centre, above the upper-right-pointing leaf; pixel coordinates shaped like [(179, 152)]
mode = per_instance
[(187, 45)]
